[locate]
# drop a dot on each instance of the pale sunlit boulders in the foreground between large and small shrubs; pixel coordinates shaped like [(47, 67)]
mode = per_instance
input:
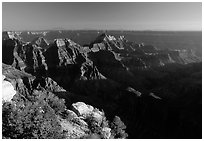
[(82, 119)]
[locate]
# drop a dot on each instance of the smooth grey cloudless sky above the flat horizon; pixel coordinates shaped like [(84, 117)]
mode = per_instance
[(130, 16)]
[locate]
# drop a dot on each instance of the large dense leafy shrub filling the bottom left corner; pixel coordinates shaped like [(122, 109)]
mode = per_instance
[(32, 119)]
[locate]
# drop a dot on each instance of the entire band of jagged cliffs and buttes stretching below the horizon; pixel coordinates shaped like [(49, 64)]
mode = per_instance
[(40, 58)]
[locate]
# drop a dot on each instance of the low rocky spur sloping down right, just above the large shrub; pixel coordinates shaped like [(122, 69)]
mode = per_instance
[(25, 83)]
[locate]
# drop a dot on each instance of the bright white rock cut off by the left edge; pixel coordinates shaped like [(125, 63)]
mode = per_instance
[(7, 90)]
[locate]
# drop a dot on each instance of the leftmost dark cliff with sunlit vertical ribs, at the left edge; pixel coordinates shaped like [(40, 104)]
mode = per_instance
[(23, 56)]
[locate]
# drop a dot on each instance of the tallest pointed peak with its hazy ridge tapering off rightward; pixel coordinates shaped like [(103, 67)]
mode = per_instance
[(145, 55)]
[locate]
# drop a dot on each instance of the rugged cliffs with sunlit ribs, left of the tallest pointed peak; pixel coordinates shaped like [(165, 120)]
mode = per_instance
[(61, 58)]
